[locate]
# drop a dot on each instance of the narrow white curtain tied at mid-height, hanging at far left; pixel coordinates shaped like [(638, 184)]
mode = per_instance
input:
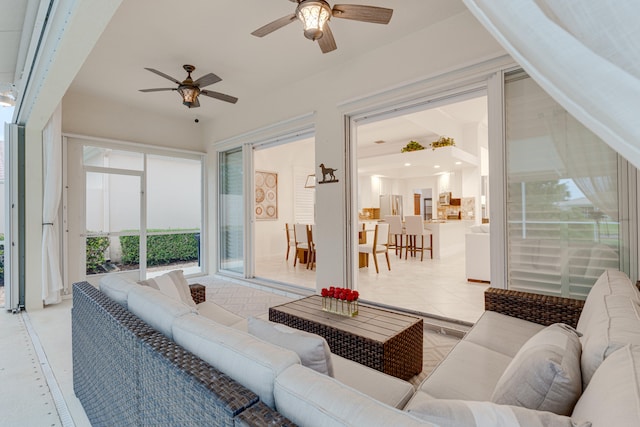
[(52, 174)]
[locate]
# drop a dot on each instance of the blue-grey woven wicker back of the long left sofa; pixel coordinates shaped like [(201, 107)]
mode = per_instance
[(126, 373)]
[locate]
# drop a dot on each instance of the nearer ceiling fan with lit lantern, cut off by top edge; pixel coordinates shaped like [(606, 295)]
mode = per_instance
[(315, 16)]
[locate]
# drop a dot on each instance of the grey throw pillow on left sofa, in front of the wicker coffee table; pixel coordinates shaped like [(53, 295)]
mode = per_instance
[(312, 349)]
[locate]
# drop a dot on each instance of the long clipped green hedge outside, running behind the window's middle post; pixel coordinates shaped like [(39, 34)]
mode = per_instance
[(161, 249)]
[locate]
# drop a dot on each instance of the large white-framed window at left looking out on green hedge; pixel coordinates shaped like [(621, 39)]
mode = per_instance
[(143, 211)]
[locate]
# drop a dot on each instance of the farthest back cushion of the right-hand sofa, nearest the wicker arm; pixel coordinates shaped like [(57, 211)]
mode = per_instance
[(611, 282)]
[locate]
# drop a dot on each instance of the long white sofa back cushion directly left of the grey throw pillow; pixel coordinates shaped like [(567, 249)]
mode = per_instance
[(248, 360)]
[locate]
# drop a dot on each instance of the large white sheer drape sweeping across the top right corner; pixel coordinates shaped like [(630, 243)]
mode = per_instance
[(584, 53)]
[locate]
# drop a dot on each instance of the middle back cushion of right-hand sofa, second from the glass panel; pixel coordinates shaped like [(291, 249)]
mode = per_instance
[(616, 324)]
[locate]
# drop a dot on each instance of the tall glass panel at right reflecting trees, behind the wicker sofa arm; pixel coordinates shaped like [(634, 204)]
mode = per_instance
[(563, 226)]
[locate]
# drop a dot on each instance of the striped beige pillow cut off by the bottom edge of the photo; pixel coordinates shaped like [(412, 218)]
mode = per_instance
[(460, 413)]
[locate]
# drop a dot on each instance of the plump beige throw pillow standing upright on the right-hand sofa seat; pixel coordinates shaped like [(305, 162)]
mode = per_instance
[(545, 373)]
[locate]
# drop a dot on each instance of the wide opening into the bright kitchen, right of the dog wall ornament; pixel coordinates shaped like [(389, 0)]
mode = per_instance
[(433, 158)]
